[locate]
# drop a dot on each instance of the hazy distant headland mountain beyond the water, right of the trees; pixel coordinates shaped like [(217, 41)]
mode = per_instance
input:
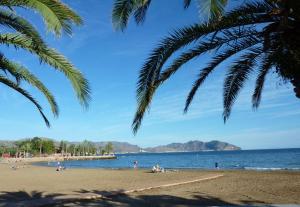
[(193, 146)]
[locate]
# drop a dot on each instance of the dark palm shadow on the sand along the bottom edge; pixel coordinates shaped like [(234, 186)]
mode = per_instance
[(111, 198)]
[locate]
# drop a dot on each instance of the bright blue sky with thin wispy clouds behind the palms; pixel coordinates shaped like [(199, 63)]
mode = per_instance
[(111, 60)]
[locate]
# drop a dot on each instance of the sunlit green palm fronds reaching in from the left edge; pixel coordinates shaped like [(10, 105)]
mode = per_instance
[(19, 33)]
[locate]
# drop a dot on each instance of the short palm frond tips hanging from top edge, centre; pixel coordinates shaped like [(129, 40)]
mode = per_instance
[(123, 9)]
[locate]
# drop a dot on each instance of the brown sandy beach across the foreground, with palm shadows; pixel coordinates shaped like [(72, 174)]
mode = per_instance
[(43, 186)]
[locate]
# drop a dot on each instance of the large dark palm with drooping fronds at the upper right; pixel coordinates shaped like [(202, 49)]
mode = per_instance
[(263, 36)]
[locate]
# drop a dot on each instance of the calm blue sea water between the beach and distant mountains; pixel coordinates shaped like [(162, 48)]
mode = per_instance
[(277, 159)]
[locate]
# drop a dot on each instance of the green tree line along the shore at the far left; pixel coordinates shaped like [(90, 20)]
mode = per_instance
[(38, 147)]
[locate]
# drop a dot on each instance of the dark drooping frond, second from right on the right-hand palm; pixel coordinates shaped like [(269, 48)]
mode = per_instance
[(235, 78)]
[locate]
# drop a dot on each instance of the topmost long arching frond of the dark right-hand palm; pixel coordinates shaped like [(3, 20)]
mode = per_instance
[(188, 35)]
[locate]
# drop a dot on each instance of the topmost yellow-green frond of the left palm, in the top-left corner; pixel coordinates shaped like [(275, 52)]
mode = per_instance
[(56, 15)]
